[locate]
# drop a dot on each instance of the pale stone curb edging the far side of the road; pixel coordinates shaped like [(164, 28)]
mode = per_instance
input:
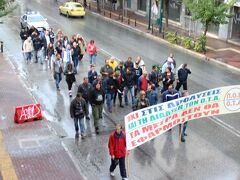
[(165, 42)]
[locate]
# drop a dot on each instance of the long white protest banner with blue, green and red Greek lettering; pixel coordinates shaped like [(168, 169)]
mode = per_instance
[(145, 124)]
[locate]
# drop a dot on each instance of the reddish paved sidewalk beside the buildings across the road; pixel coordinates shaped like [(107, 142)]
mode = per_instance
[(216, 49)]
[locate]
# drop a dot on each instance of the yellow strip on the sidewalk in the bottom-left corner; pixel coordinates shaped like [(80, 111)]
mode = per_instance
[(7, 170)]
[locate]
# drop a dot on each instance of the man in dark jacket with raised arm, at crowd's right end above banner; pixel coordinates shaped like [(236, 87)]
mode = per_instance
[(182, 77)]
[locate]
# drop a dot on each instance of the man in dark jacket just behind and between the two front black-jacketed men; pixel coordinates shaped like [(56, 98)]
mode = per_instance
[(85, 89)]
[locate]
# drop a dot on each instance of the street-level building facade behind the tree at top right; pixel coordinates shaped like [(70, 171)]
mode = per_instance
[(180, 17)]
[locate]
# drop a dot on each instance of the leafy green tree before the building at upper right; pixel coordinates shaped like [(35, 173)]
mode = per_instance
[(209, 11)]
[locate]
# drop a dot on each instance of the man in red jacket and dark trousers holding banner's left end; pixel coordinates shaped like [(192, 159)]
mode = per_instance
[(117, 150)]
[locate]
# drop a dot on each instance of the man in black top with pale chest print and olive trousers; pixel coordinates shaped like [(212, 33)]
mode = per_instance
[(96, 99)]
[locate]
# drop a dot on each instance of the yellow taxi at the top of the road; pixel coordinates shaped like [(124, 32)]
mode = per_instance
[(72, 9)]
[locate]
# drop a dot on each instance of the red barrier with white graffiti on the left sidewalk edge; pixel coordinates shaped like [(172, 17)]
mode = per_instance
[(28, 113)]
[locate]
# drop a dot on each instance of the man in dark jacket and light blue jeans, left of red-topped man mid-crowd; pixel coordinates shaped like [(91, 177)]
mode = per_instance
[(129, 84)]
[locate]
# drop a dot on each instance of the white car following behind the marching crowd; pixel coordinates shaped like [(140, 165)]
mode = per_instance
[(35, 19)]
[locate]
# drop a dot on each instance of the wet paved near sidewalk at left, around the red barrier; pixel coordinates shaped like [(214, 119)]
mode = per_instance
[(29, 150)]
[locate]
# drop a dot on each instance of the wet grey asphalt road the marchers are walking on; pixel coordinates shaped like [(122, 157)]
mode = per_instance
[(212, 148)]
